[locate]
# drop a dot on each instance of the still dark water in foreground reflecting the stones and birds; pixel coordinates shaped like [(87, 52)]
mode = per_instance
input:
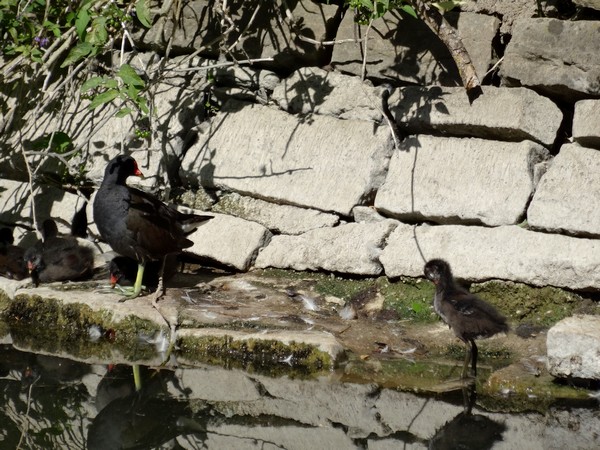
[(47, 402)]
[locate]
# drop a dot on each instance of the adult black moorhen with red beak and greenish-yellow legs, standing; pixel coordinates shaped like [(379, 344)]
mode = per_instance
[(136, 224)]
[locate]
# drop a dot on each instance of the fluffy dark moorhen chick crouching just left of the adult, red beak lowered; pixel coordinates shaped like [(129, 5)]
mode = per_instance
[(58, 258)]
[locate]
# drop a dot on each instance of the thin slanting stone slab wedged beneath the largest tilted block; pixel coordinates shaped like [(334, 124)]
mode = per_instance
[(283, 219)]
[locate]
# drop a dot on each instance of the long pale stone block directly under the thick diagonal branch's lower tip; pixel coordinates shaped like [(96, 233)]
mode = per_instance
[(502, 114)]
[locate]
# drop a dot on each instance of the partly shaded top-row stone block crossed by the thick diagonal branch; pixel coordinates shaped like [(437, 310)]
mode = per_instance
[(401, 48)]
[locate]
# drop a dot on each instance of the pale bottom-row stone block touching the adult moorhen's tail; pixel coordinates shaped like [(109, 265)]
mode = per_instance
[(229, 240)]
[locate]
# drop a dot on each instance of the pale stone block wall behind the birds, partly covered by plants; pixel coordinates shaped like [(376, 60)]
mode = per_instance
[(300, 165)]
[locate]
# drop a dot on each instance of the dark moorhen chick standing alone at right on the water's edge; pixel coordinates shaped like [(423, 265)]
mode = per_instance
[(469, 317)]
